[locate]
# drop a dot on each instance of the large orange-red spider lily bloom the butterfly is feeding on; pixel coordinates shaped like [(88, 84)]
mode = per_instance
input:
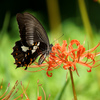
[(69, 57)]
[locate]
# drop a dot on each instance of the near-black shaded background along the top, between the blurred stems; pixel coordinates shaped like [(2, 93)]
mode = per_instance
[(68, 8)]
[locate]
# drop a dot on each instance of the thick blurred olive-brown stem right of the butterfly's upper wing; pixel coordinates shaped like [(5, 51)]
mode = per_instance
[(54, 17)]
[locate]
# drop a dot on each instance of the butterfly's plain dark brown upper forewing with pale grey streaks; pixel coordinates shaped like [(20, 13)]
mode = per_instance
[(31, 30)]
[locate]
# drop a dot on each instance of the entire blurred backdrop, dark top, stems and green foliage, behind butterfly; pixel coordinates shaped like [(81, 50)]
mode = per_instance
[(76, 19)]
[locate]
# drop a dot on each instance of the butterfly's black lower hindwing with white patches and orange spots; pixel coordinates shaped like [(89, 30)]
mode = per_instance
[(25, 56)]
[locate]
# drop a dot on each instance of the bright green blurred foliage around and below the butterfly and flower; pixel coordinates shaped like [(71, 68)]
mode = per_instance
[(87, 85)]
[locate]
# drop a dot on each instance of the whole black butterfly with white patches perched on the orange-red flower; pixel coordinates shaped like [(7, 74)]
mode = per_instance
[(34, 41)]
